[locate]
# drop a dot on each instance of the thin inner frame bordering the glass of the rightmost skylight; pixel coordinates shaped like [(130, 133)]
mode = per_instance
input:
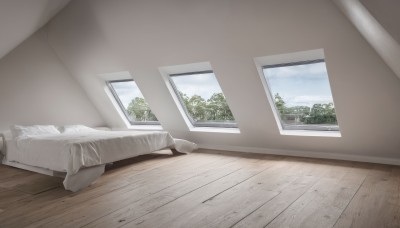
[(285, 127)]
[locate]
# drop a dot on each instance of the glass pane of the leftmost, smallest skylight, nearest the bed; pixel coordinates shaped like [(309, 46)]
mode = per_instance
[(132, 102)]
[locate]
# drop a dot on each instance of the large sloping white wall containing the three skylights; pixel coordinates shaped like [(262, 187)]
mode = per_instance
[(94, 36)]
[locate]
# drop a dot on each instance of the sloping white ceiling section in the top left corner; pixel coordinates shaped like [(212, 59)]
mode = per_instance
[(21, 18)]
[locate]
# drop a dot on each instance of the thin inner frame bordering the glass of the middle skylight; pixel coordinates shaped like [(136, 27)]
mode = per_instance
[(182, 103)]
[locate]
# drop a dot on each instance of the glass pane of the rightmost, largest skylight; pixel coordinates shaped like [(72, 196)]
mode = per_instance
[(302, 95)]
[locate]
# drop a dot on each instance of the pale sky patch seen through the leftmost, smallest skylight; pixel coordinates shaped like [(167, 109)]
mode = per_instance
[(126, 91)]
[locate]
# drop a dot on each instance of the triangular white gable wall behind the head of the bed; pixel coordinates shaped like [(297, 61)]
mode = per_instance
[(35, 88)]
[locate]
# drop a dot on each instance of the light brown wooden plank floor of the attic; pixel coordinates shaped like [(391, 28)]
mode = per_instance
[(212, 189)]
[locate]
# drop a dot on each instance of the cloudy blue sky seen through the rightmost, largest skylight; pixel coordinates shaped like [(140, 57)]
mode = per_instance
[(301, 85)]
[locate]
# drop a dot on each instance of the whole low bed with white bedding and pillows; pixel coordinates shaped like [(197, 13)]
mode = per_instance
[(79, 153)]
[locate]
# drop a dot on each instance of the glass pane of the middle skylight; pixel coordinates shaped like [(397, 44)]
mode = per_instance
[(203, 99)]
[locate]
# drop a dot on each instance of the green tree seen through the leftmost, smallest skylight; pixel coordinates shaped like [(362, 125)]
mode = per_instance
[(139, 110)]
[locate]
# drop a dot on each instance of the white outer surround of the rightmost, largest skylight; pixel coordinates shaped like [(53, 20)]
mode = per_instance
[(291, 59)]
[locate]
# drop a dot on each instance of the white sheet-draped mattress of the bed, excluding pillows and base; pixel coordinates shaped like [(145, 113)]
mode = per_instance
[(70, 152)]
